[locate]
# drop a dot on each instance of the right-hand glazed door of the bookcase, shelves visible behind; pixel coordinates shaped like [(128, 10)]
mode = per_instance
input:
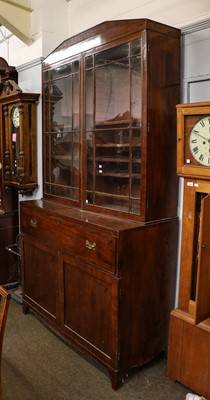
[(113, 128)]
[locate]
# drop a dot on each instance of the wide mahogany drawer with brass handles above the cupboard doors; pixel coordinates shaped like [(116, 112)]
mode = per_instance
[(88, 244)]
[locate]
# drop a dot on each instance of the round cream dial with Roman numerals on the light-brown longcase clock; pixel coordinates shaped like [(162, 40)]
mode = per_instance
[(199, 141)]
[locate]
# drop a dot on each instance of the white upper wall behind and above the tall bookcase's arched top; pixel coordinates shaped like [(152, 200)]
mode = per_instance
[(53, 21)]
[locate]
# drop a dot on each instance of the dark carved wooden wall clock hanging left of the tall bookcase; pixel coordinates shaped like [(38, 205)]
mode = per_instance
[(19, 139)]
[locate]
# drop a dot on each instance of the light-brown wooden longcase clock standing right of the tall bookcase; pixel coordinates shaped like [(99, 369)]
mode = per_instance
[(189, 338)]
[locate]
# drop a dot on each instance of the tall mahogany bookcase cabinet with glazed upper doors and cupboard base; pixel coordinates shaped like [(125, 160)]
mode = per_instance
[(99, 250)]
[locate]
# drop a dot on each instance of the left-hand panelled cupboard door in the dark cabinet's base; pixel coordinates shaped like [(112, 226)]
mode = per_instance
[(40, 277)]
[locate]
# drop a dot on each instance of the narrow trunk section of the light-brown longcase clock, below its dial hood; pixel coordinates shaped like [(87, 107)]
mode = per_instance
[(194, 294)]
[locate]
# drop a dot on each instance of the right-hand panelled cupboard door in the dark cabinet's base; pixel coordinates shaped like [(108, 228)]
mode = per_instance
[(90, 304)]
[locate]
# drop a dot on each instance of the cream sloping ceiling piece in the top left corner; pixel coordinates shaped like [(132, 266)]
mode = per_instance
[(15, 15)]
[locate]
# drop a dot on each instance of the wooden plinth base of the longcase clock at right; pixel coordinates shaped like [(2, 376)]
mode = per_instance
[(189, 353)]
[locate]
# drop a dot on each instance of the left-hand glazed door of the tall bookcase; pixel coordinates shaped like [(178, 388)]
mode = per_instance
[(62, 131)]
